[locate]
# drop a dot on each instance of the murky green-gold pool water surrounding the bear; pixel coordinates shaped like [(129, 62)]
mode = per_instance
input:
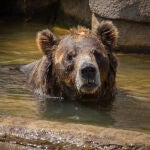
[(131, 109)]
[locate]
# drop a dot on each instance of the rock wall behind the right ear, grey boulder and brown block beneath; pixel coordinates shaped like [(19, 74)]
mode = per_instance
[(132, 19)]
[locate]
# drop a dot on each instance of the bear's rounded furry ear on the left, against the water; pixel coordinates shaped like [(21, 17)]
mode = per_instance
[(46, 41)]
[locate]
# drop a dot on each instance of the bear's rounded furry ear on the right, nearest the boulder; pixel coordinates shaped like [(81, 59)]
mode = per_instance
[(107, 33)]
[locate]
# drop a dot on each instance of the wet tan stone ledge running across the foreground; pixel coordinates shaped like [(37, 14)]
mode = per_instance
[(58, 135)]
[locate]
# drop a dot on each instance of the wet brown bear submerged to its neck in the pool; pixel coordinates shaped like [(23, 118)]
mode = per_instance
[(79, 65)]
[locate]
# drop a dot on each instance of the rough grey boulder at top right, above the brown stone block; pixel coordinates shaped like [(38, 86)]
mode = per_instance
[(135, 10)]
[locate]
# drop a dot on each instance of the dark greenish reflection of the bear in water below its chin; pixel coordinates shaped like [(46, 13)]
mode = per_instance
[(76, 112)]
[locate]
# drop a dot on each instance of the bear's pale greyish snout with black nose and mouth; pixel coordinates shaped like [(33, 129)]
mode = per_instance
[(88, 75)]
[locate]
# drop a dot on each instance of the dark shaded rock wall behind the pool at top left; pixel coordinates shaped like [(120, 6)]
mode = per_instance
[(77, 11)]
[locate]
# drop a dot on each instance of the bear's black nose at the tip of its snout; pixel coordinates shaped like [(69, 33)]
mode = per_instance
[(88, 71)]
